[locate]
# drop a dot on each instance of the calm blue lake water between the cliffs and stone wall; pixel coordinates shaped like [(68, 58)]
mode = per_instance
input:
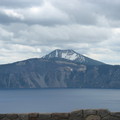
[(57, 100)]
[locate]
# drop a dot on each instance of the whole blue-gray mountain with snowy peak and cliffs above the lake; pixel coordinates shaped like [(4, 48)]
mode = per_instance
[(65, 69)]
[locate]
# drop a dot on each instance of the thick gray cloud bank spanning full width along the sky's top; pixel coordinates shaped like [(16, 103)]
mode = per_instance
[(52, 12)]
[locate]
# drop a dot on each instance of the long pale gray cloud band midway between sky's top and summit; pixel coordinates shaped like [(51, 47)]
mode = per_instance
[(57, 35)]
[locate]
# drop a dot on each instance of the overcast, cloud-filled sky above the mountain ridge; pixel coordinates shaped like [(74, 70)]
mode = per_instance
[(34, 28)]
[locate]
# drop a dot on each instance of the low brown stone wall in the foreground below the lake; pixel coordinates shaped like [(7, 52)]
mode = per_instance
[(88, 114)]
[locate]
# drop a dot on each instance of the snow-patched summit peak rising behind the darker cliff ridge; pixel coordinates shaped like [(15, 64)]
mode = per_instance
[(71, 55)]
